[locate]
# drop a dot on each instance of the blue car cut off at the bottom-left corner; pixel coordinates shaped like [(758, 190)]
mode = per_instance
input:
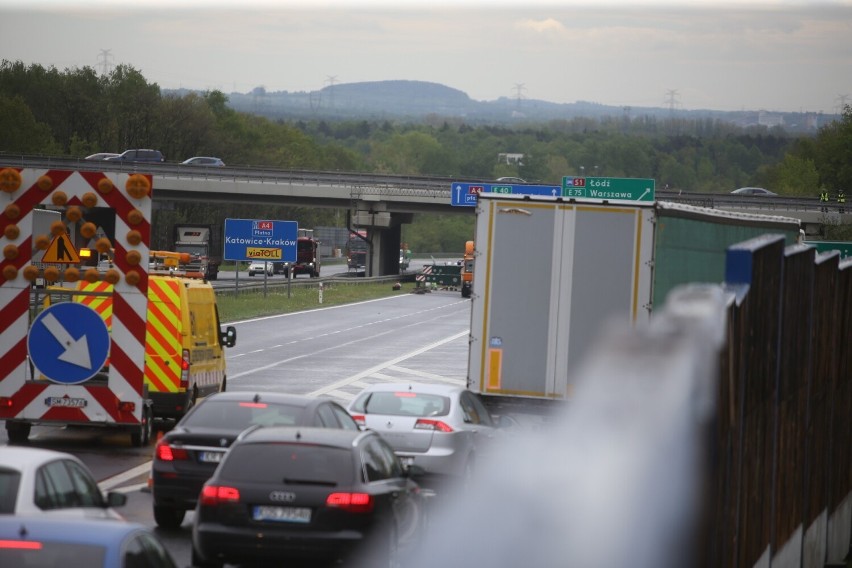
[(46, 542)]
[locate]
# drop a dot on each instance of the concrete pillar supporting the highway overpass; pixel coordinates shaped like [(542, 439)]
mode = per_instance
[(384, 233)]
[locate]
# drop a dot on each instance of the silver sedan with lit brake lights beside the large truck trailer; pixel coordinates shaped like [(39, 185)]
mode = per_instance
[(440, 428)]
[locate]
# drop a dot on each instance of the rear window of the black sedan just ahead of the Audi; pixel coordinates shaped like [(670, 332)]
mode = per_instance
[(239, 415)]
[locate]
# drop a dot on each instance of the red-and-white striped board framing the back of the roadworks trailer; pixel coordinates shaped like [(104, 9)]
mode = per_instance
[(127, 348)]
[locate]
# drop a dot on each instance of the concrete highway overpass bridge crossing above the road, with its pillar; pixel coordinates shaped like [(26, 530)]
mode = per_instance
[(380, 204)]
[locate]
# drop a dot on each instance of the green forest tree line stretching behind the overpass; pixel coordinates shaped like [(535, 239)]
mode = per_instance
[(76, 112)]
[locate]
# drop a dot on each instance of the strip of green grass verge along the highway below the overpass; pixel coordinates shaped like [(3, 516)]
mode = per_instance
[(249, 304)]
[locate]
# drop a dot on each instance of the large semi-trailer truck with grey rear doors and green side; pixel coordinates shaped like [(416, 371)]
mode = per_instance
[(550, 272)]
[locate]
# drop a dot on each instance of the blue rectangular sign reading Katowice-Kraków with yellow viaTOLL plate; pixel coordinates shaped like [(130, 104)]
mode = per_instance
[(250, 239)]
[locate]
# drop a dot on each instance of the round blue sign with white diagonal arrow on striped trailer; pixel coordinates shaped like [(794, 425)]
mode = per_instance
[(68, 343)]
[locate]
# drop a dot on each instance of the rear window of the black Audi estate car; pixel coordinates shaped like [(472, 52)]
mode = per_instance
[(304, 464)]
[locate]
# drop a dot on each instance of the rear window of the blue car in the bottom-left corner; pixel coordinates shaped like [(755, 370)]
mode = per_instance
[(36, 554)]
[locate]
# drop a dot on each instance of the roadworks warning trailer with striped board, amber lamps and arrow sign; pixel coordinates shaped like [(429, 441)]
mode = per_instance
[(51, 368)]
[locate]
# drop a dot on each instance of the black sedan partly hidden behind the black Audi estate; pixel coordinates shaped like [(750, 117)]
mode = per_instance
[(188, 455)]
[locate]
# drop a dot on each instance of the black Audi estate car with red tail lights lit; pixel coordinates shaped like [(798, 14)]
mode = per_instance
[(306, 493)]
